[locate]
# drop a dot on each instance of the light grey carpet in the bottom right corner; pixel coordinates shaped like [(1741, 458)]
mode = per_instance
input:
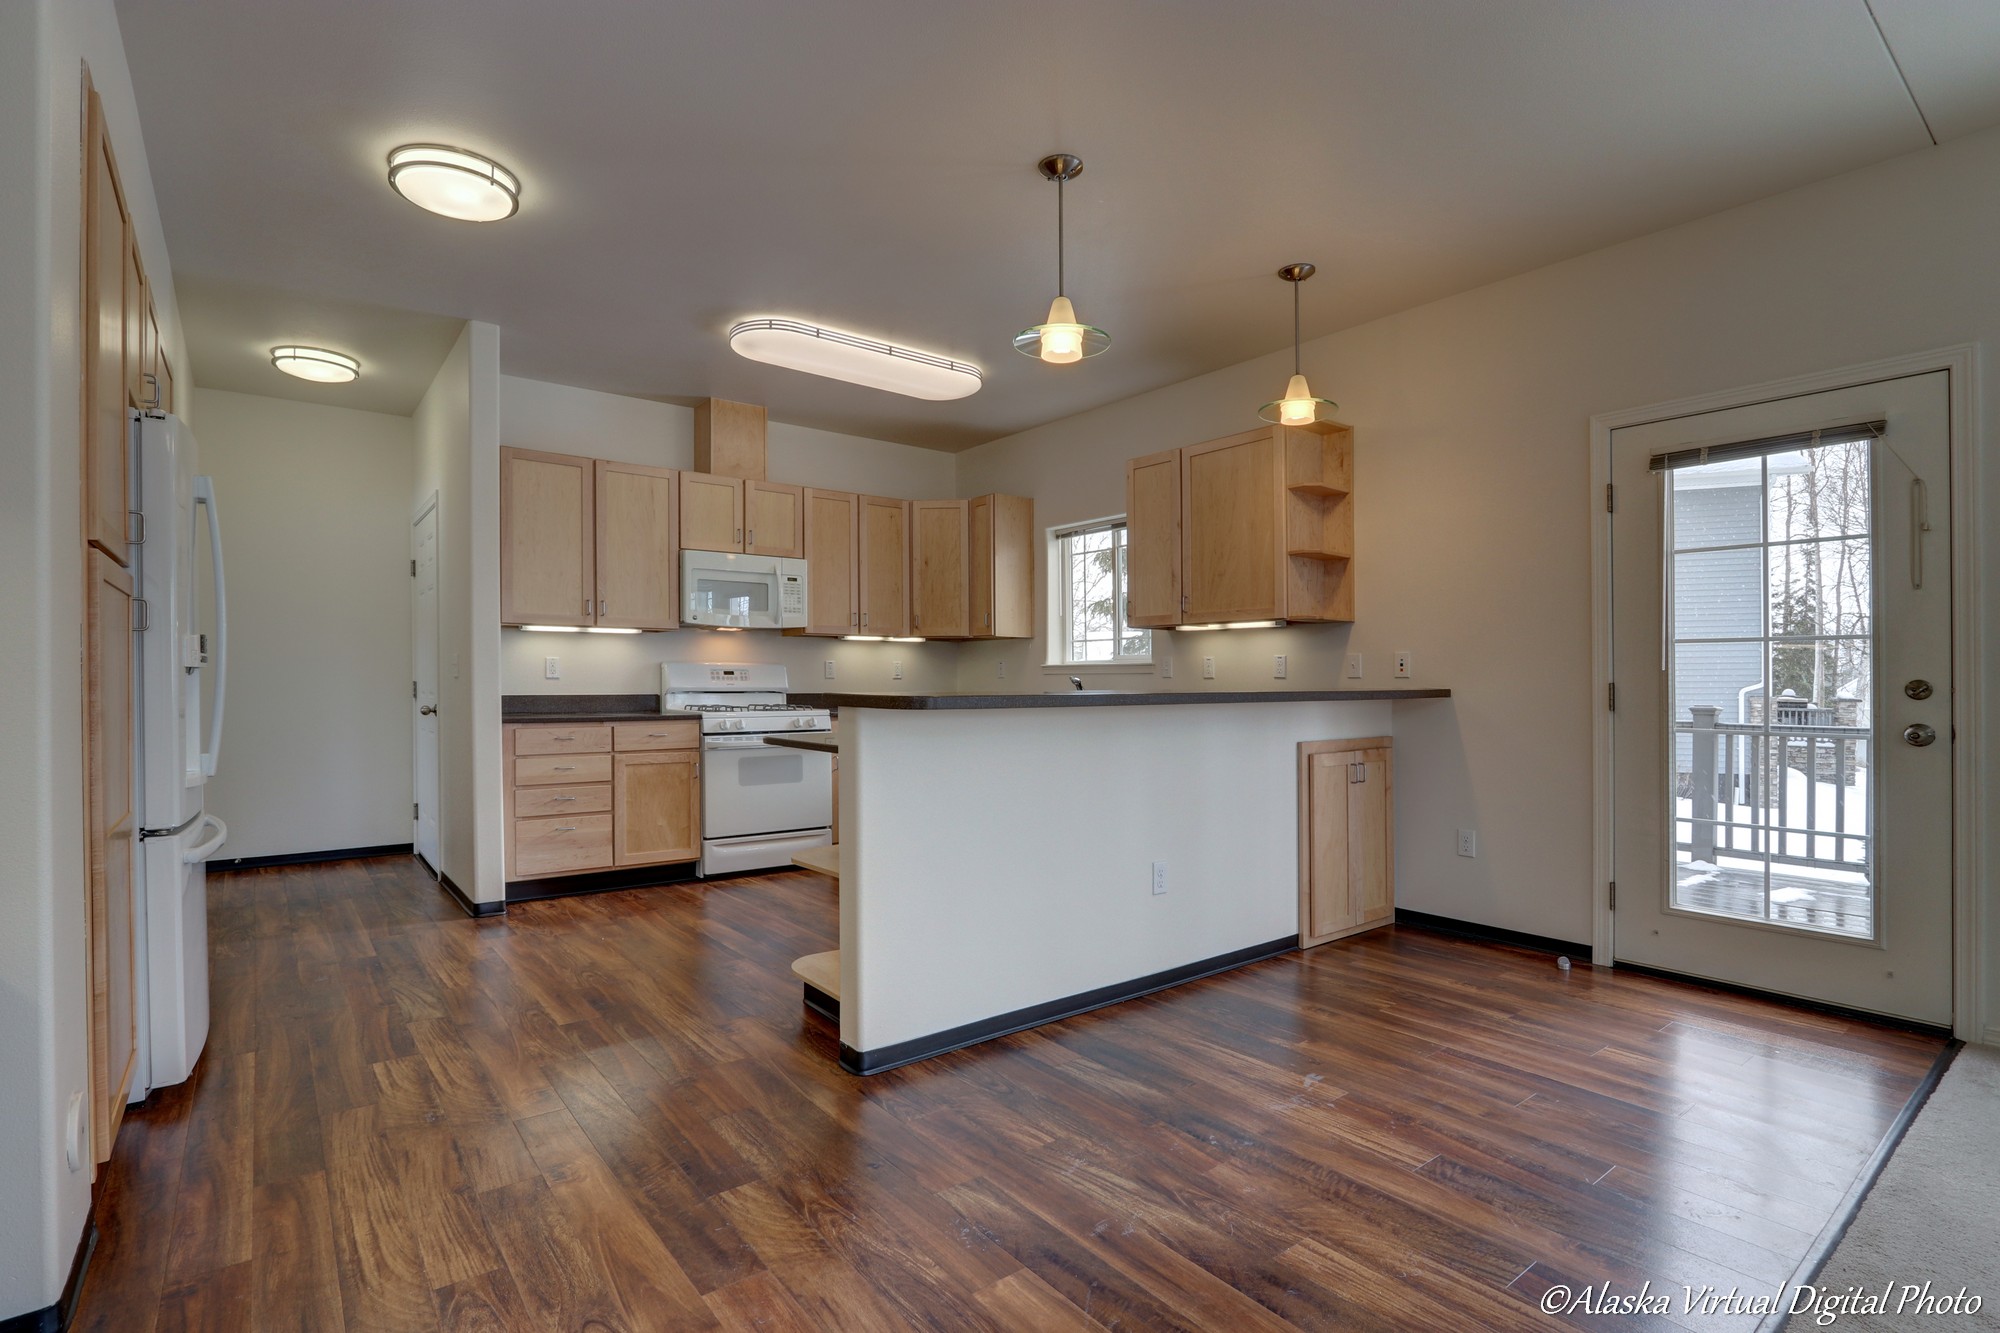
[(1931, 1218)]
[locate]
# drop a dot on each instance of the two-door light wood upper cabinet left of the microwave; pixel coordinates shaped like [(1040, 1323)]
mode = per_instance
[(585, 541)]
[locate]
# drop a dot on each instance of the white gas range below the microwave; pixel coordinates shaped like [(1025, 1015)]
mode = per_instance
[(761, 804)]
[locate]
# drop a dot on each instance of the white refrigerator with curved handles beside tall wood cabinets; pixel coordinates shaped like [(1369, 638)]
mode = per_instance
[(179, 686)]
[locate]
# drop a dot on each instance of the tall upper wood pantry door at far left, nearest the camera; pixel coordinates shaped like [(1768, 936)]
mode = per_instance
[(105, 343)]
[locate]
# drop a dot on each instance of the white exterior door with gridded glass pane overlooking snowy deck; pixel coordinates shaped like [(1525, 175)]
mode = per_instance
[(1783, 728)]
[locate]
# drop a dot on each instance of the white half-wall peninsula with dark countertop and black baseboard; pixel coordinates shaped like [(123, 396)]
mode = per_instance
[(1003, 856)]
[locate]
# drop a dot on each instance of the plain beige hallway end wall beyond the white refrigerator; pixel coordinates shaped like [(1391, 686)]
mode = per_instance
[(317, 744)]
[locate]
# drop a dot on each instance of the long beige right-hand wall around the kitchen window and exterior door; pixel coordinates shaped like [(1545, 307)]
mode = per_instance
[(1473, 495)]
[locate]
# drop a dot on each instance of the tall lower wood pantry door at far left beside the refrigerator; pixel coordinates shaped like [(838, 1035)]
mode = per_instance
[(109, 842)]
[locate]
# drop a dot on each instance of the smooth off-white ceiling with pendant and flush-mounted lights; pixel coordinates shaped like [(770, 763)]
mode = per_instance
[(871, 165)]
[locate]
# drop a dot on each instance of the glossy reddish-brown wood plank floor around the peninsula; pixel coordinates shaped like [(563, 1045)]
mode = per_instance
[(615, 1114)]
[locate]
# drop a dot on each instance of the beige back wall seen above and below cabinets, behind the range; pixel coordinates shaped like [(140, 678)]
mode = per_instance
[(579, 421)]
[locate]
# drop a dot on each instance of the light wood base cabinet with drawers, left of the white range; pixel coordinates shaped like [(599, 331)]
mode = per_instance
[(593, 798)]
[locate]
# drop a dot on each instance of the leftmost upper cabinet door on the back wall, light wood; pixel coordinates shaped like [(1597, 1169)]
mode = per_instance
[(547, 549)]
